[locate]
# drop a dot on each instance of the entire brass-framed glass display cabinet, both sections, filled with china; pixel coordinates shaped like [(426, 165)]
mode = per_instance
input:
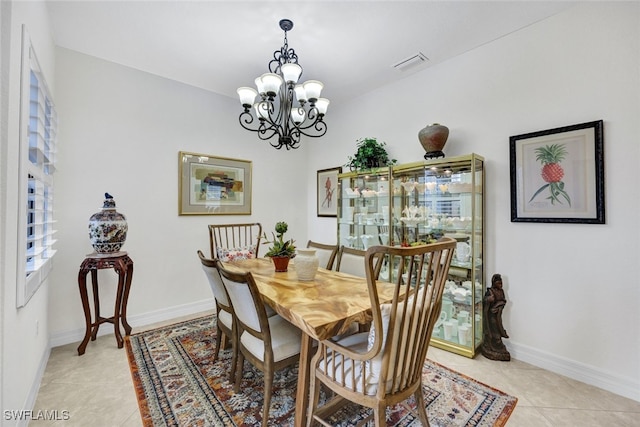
[(416, 203)]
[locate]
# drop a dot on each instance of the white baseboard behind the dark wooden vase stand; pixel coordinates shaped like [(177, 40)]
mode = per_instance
[(136, 321)]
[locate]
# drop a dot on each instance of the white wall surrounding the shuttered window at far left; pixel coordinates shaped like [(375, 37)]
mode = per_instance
[(24, 346)]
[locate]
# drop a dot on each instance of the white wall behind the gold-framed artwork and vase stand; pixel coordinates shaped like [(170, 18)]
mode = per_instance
[(120, 132)]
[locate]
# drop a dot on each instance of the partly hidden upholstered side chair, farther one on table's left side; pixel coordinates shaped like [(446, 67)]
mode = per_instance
[(225, 322)]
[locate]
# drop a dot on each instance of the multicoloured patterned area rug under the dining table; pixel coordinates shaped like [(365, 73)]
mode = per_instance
[(177, 385)]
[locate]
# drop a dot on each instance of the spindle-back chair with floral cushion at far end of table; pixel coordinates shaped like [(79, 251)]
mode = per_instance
[(234, 241)]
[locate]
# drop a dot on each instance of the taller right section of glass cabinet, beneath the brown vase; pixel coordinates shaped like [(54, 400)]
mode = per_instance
[(444, 197)]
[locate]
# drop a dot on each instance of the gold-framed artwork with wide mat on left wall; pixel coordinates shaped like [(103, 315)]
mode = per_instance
[(210, 185)]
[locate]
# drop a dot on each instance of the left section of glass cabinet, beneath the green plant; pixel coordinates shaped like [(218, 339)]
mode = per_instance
[(363, 208)]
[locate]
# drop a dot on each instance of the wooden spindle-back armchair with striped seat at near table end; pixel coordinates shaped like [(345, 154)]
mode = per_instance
[(384, 366)]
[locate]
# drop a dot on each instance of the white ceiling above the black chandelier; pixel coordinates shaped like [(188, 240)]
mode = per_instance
[(349, 45)]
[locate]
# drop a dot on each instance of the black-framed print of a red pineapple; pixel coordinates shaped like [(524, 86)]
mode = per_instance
[(557, 175)]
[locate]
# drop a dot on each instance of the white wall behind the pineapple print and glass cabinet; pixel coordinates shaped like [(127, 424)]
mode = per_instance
[(572, 289)]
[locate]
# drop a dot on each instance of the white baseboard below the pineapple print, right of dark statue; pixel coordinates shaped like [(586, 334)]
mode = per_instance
[(623, 386)]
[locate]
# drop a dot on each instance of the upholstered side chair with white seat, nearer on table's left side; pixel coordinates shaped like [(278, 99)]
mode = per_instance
[(268, 343)]
